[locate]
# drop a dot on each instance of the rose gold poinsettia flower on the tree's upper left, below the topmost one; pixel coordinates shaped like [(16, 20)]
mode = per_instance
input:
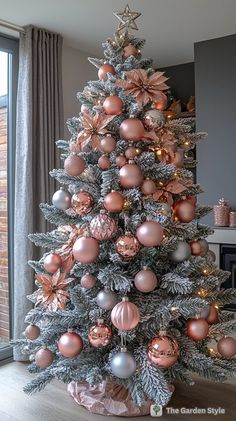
[(94, 126)]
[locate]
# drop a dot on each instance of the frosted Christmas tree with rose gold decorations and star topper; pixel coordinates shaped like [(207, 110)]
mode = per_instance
[(127, 289)]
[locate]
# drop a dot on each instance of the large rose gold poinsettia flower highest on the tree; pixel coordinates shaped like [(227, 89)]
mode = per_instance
[(142, 87)]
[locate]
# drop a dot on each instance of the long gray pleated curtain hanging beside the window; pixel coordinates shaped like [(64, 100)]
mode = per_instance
[(39, 124)]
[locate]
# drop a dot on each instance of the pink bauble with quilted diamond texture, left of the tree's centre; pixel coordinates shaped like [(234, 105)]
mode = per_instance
[(103, 227)]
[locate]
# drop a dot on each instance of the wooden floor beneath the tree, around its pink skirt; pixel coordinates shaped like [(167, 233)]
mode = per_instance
[(54, 404)]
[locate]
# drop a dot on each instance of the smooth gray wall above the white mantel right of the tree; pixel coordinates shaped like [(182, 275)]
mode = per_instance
[(215, 88)]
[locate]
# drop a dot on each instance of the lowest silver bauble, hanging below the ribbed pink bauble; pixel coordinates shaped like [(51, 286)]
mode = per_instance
[(123, 365)]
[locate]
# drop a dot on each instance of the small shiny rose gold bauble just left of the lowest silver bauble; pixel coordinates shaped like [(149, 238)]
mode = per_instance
[(100, 335)]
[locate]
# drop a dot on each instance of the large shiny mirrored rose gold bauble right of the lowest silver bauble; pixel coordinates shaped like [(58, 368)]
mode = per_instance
[(163, 351)]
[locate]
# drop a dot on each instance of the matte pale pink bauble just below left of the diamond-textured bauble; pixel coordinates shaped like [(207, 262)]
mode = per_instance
[(86, 250)]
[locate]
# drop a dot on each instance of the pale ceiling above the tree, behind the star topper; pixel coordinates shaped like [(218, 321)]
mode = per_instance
[(170, 27)]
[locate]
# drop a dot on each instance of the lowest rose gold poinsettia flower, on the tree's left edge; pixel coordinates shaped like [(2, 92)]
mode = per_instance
[(51, 293)]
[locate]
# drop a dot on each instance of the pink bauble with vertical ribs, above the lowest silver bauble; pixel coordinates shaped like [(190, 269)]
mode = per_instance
[(125, 315)]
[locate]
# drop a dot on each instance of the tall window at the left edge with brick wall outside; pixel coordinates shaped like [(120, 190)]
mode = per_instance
[(8, 86)]
